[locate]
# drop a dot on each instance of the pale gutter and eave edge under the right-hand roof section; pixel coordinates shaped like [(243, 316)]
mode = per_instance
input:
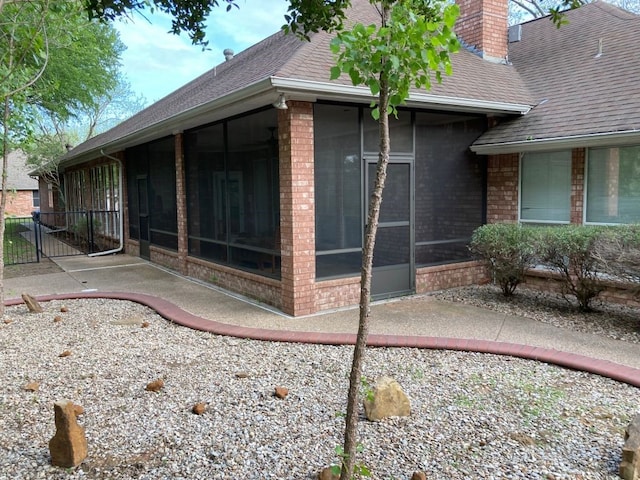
[(610, 139)]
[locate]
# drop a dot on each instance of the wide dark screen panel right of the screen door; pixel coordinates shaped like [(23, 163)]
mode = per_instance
[(450, 186)]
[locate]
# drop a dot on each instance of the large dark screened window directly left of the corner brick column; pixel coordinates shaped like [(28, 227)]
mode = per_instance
[(233, 192)]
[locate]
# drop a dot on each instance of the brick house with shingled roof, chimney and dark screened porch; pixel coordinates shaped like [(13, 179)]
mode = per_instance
[(221, 182)]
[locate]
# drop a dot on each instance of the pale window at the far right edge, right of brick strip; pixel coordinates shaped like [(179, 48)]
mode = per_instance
[(613, 185)]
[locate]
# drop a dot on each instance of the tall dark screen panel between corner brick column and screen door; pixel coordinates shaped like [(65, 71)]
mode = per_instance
[(337, 178)]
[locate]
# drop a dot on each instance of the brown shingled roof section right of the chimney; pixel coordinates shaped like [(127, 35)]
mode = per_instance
[(584, 77)]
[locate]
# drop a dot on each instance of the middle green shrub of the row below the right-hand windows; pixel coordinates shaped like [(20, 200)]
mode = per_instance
[(569, 251)]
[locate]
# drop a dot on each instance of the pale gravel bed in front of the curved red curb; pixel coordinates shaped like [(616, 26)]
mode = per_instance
[(474, 416)]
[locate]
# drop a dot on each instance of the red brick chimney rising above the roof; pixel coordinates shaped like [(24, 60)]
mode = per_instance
[(483, 25)]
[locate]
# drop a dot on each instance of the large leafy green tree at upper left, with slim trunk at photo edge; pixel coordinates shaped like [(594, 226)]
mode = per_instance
[(52, 59)]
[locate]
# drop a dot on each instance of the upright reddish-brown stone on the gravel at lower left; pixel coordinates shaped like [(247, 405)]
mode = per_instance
[(68, 447)]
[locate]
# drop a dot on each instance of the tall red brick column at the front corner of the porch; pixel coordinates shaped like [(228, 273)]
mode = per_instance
[(297, 212)]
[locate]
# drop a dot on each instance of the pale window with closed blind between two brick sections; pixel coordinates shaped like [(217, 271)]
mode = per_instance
[(545, 187)]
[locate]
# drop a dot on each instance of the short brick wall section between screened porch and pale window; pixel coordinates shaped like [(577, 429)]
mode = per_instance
[(502, 188)]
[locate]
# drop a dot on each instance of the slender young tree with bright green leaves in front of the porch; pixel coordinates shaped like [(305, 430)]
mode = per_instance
[(409, 46)]
